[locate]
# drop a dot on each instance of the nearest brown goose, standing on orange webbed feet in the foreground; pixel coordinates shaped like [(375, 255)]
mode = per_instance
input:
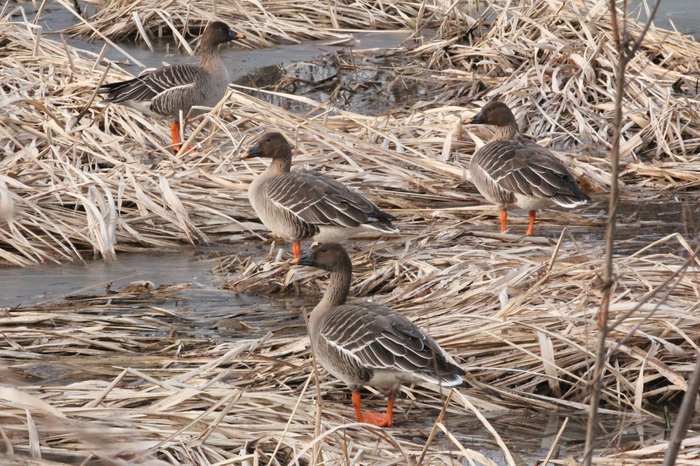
[(370, 344)]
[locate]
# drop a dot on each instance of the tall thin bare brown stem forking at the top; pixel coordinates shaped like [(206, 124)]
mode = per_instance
[(626, 49)]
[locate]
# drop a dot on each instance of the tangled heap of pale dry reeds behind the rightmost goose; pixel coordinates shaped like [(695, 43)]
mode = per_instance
[(554, 62)]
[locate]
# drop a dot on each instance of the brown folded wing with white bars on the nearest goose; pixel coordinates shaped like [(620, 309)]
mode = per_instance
[(378, 338)]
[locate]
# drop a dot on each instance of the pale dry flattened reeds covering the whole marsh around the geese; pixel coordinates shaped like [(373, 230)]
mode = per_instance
[(518, 314)]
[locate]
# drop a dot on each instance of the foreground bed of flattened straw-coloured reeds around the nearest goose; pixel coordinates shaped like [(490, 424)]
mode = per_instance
[(131, 389)]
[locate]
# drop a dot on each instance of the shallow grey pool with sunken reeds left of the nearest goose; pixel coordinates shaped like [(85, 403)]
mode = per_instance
[(200, 309)]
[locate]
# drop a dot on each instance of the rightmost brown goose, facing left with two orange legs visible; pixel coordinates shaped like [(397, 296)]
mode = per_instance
[(512, 171)]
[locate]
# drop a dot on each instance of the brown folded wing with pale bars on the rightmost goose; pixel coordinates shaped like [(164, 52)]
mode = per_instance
[(523, 167)]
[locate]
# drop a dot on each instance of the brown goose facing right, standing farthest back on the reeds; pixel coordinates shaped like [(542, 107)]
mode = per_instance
[(167, 91)]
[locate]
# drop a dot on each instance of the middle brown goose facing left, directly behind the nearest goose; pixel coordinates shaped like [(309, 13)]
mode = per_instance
[(300, 204)]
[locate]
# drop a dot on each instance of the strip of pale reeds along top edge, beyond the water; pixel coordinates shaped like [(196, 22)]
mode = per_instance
[(267, 22)]
